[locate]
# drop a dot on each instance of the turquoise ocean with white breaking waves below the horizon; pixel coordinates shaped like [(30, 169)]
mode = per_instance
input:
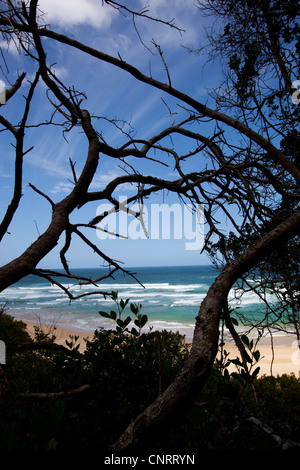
[(170, 297)]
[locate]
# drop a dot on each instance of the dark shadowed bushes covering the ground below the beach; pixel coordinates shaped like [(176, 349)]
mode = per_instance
[(58, 398)]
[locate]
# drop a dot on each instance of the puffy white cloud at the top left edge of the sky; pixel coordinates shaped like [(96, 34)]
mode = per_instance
[(75, 12)]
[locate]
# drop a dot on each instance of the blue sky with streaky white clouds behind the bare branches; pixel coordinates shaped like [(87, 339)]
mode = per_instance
[(111, 93)]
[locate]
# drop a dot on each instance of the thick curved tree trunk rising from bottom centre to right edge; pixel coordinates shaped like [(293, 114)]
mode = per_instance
[(205, 343)]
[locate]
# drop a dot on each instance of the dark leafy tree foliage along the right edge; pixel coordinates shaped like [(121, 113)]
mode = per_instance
[(255, 81)]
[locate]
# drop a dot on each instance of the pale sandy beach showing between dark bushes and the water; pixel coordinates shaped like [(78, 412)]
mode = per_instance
[(284, 358)]
